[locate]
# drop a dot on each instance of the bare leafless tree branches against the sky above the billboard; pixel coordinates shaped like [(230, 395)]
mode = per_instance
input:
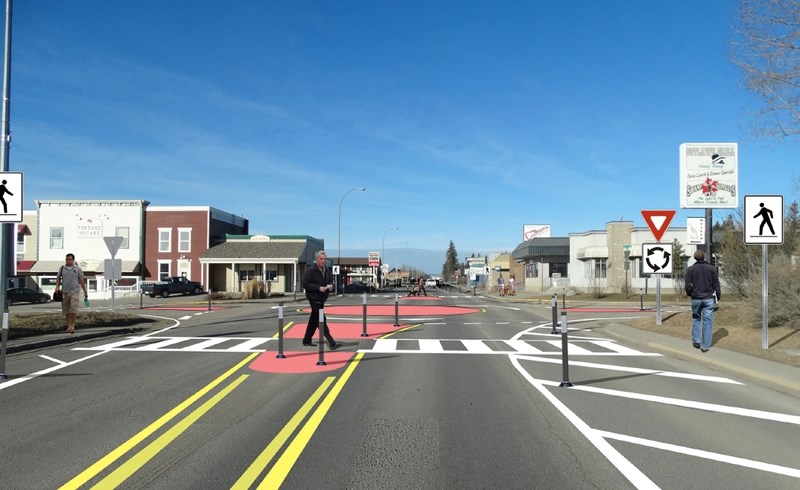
[(766, 47)]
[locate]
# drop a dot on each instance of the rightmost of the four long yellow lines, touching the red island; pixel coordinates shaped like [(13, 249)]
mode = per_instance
[(278, 473)]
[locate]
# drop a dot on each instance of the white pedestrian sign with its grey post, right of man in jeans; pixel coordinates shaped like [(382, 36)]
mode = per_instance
[(763, 224)]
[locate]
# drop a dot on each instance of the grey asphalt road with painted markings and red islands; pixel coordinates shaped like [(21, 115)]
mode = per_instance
[(465, 394)]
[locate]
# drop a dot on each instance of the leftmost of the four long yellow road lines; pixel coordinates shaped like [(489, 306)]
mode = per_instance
[(120, 451)]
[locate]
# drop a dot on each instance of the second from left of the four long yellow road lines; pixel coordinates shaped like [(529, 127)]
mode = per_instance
[(142, 457)]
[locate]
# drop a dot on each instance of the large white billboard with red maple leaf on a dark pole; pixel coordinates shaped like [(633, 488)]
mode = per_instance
[(709, 175)]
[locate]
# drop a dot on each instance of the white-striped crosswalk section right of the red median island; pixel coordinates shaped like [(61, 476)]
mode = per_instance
[(539, 347)]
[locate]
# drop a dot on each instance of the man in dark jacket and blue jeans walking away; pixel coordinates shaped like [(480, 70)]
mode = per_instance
[(702, 284)]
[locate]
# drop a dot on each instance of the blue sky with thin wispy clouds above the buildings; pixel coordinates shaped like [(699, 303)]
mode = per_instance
[(463, 120)]
